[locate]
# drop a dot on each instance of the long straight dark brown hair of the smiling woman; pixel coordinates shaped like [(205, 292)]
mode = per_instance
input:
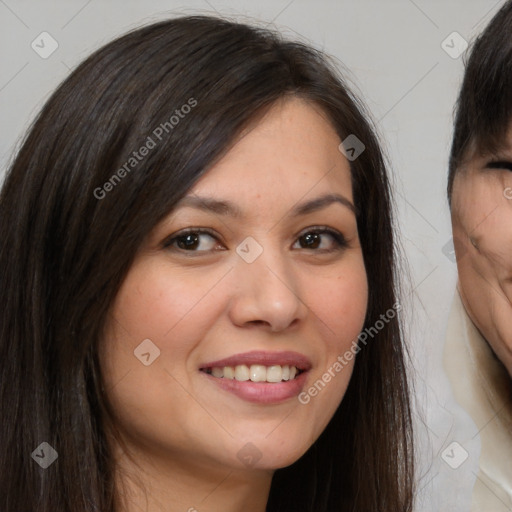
[(66, 249)]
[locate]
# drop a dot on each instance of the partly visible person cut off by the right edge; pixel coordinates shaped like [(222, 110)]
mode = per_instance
[(478, 353)]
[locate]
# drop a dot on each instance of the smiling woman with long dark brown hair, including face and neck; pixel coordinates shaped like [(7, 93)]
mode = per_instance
[(188, 260)]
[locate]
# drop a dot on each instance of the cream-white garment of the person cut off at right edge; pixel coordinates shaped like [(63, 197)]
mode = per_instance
[(483, 388)]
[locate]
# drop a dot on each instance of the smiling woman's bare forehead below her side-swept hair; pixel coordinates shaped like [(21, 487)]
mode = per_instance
[(291, 151)]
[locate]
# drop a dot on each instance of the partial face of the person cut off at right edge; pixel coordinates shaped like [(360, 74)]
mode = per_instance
[(482, 231)]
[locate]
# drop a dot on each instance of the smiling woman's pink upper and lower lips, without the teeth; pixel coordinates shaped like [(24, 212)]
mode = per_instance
[(262, 392)]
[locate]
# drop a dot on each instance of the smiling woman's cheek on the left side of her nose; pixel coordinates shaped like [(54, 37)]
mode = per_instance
[(160, 312)]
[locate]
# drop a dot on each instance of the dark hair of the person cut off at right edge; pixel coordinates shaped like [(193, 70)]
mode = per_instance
[(484, 105)]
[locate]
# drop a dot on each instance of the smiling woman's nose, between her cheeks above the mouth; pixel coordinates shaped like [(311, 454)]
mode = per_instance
[(266, 293)]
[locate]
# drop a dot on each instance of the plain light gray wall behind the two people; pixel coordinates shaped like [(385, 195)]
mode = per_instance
[(397, 64)]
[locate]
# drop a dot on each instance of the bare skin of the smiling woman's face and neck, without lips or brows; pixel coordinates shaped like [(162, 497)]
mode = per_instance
[(180, 433)]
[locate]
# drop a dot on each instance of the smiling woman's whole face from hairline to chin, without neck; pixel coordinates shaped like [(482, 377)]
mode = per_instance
[(256, 274)]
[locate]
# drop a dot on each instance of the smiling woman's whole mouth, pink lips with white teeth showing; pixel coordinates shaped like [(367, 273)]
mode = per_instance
[(264, 377)]
